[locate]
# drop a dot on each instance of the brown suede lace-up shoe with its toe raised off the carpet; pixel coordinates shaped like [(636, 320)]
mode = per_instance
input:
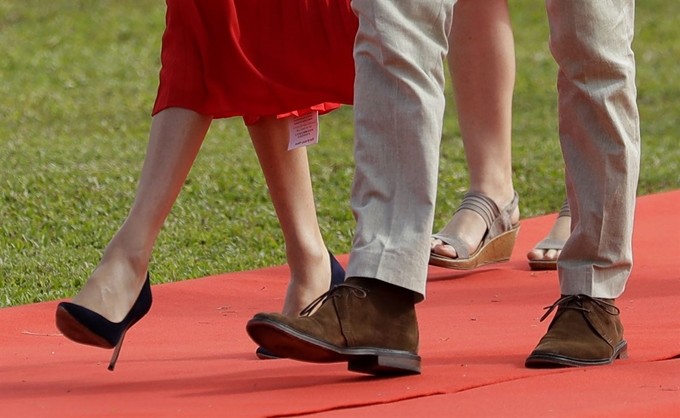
[(368, 323)]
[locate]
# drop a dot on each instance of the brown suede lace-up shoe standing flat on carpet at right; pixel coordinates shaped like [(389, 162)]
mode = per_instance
[(586, 331)]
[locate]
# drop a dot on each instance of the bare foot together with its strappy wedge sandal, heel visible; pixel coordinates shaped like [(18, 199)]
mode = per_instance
[(479, 233)]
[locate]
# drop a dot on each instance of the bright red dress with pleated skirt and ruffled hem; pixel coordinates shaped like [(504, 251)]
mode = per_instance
[(254, 58)]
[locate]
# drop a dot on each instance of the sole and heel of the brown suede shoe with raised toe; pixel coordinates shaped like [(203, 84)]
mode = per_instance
[(289, 343)]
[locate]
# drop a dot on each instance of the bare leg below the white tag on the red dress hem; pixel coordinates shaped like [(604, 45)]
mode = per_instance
[(290, 188)]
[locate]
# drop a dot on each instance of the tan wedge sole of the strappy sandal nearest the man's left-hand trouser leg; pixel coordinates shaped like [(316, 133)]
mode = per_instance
[(498, 250)]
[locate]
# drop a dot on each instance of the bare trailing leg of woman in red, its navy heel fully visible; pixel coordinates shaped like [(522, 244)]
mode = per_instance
[(174, 141)]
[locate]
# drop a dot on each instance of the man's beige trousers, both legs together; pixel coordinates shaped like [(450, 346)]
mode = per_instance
[(399, 104)]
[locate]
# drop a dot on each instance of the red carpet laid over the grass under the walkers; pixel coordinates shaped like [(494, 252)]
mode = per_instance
[(191, 355)]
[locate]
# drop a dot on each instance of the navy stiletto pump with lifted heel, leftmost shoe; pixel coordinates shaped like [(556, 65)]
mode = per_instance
[(84, 326)]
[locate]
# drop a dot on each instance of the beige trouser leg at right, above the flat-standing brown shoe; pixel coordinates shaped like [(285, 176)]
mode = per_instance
[(600, 137)]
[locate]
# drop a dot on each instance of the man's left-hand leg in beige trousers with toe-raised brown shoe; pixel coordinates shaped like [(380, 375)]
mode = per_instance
[(370, 320)]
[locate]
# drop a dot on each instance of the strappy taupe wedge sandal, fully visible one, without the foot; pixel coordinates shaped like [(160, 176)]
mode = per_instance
[(497, 243)]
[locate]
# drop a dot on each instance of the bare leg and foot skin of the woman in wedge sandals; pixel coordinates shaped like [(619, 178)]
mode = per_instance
[(482, 65)]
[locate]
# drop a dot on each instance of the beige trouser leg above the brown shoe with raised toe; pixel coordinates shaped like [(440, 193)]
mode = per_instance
[(398, 109)]
